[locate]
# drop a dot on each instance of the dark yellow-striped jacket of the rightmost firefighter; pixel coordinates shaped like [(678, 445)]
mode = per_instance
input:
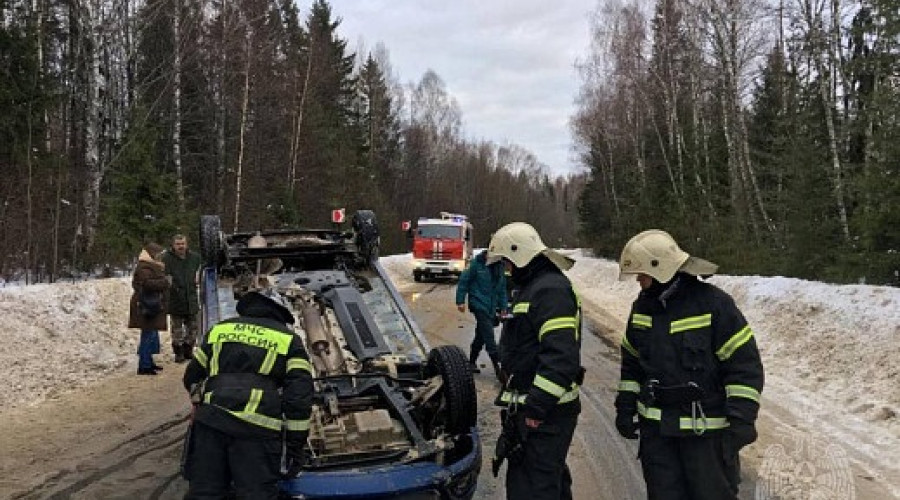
[(690, 333)]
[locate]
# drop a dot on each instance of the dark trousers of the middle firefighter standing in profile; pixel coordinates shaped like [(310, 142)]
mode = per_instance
[(541, 473)]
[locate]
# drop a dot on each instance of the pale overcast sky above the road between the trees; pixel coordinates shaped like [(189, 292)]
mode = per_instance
[(510, 64)]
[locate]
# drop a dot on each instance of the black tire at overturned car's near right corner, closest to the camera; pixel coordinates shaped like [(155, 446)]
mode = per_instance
[(458, 389)]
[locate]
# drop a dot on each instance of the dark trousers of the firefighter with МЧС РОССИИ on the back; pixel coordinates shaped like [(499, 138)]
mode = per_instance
[(219, 464)]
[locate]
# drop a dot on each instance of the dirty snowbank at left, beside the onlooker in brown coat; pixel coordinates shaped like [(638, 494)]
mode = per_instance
[(61, 337)]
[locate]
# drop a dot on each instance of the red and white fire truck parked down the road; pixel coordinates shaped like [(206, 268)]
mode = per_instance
[(442, 247)]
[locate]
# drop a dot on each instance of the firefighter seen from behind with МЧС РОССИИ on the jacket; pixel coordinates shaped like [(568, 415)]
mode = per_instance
[(252, 380)]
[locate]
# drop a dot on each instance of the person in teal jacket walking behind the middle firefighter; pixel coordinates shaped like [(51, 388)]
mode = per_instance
[(485, 286)]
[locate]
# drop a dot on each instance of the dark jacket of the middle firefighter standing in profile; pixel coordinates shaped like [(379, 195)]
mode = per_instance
[(540, 346)]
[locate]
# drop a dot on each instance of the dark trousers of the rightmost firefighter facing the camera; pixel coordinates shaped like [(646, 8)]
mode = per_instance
[(689, 468)]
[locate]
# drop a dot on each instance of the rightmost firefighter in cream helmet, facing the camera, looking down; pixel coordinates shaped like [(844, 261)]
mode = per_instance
[(691, 374)]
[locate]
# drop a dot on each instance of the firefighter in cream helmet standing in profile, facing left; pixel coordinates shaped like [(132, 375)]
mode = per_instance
[(540, 350)]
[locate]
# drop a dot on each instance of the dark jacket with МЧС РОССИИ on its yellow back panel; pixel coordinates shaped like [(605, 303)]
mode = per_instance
[(255, 379)]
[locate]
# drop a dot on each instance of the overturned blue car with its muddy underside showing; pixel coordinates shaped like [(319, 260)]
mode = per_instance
[(392, 417)]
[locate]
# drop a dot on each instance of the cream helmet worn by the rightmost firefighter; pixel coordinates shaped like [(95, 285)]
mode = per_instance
[(656, 254)]
